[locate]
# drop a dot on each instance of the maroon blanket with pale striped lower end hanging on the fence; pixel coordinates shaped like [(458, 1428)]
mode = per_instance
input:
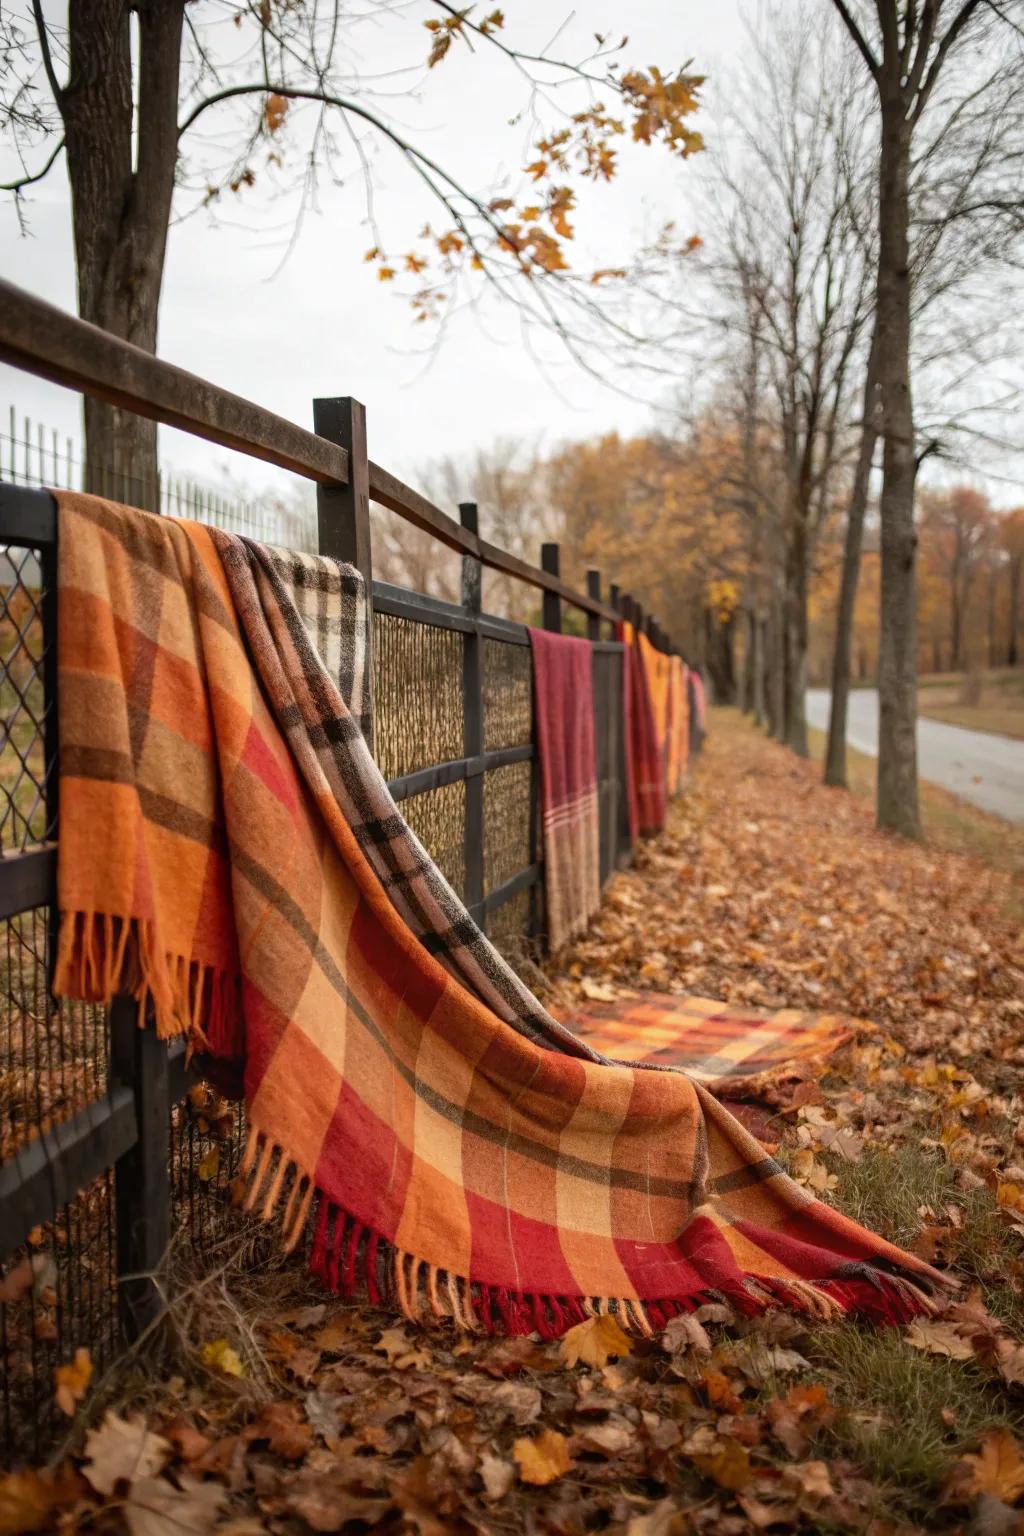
[(564, 715)]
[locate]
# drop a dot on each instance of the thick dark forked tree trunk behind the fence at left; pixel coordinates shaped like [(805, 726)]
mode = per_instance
[(122, 211)]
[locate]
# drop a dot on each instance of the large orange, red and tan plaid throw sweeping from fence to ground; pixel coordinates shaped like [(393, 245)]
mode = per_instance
[(441, 1157)]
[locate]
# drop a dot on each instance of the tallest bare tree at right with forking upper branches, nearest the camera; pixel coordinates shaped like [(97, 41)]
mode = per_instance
[(907, 50)]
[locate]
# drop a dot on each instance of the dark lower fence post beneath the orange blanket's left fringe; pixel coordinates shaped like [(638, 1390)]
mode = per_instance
[(142, 1177)]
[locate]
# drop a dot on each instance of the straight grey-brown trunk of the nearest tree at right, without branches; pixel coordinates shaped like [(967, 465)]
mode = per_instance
[(897, 806)]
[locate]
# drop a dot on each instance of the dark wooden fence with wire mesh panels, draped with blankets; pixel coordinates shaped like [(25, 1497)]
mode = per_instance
[(108, 1144)]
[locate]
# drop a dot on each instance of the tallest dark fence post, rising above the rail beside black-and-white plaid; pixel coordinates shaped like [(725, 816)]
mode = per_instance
[(343, 512)]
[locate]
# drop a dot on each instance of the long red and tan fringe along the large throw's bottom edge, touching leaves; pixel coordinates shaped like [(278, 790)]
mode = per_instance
[(349, 1256)]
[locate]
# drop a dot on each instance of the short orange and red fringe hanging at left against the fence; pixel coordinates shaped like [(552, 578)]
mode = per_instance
[(102, 956)]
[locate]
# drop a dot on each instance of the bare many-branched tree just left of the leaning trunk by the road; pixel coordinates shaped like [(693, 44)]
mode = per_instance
[(790, 280)]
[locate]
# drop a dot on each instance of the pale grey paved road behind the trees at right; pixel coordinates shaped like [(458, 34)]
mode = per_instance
[(986, 770)]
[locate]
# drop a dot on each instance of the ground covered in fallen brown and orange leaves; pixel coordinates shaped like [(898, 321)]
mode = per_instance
[(273, 1409)]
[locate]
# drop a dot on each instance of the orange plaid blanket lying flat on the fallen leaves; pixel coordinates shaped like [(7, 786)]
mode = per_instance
[(730, 1050)]
